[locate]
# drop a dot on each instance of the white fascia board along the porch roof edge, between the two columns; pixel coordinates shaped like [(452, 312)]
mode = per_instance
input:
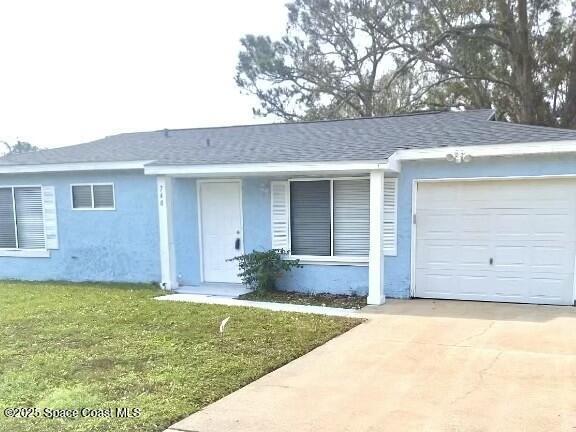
[(264, 168)]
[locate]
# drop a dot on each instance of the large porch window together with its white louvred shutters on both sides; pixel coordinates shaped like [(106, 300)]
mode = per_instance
[(330, 219)]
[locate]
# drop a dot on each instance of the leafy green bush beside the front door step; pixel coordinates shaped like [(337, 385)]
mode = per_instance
[(259, 271)]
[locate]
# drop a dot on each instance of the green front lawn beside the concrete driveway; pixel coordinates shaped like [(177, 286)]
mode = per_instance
[(108, 346)]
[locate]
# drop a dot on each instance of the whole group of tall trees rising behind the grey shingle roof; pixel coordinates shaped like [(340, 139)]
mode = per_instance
[(342, 58)]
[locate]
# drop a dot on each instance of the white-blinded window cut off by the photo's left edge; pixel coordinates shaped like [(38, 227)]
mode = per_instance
[(21, 218)]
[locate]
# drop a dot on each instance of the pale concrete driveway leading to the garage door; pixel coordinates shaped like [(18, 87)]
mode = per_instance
[(420, 365)]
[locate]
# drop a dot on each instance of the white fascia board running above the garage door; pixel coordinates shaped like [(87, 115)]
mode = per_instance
[(515, 149)]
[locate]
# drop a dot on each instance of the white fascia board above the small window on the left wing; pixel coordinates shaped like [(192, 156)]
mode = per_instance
[(81, 166)]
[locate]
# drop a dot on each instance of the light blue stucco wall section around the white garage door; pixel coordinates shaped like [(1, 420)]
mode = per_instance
[(397, 269)]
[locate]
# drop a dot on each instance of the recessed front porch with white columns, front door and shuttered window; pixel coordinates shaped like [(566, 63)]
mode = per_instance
[(206, 218)]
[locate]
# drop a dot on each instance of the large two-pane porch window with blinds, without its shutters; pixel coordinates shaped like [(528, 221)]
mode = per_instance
[(330, 217)]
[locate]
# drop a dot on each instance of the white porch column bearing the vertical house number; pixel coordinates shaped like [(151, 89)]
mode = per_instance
[(167, 257)]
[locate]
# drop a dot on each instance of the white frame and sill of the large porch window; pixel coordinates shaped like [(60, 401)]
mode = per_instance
[(328, 259)]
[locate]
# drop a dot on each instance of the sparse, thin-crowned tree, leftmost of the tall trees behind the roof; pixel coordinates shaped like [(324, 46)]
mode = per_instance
[(327, 65)]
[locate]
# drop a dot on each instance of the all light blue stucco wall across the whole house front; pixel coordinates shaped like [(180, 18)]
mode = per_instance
[(123, 245)]
